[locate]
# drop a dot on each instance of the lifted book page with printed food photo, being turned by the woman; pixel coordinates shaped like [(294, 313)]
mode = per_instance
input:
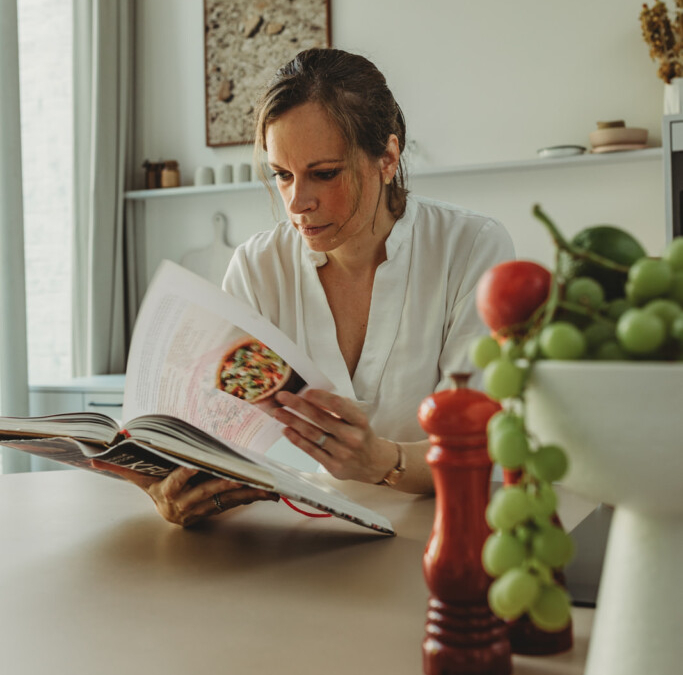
[(203, 356)]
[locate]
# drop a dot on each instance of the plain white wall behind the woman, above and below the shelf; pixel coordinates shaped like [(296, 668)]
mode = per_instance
[(478, 82)]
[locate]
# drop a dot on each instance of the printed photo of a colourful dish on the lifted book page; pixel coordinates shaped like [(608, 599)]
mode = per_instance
[(253, 372)]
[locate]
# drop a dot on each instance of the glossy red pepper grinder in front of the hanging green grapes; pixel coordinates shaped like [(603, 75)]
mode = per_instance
[(462, 634)]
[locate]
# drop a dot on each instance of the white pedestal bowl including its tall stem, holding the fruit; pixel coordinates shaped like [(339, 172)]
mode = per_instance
[(621, 424)]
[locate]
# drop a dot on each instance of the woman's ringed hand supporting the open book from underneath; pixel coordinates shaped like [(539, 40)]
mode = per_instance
[(184, 503)]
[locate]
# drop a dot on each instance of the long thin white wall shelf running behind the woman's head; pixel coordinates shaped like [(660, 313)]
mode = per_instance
[(587, 159)]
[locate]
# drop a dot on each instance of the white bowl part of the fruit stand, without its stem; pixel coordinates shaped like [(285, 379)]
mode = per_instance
[(622, 425)]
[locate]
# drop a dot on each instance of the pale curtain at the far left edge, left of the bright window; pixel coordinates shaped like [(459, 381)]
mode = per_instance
[(13, 349)]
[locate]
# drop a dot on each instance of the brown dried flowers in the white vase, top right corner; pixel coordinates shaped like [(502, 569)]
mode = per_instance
[(664, 37)]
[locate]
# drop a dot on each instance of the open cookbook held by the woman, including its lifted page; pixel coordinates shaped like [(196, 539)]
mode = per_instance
[(201, 376)]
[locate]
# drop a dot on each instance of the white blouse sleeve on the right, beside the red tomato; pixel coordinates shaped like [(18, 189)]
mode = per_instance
[(491, 246)]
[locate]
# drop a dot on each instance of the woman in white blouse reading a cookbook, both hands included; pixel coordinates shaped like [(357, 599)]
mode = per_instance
[(377, 285)]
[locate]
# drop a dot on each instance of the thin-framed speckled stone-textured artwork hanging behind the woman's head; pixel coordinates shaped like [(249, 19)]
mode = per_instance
[(245, 41)]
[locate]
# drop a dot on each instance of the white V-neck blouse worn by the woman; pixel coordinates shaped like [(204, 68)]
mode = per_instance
[(422, 313)]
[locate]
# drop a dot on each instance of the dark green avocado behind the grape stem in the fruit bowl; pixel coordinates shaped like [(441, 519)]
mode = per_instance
[(609, 242)]
